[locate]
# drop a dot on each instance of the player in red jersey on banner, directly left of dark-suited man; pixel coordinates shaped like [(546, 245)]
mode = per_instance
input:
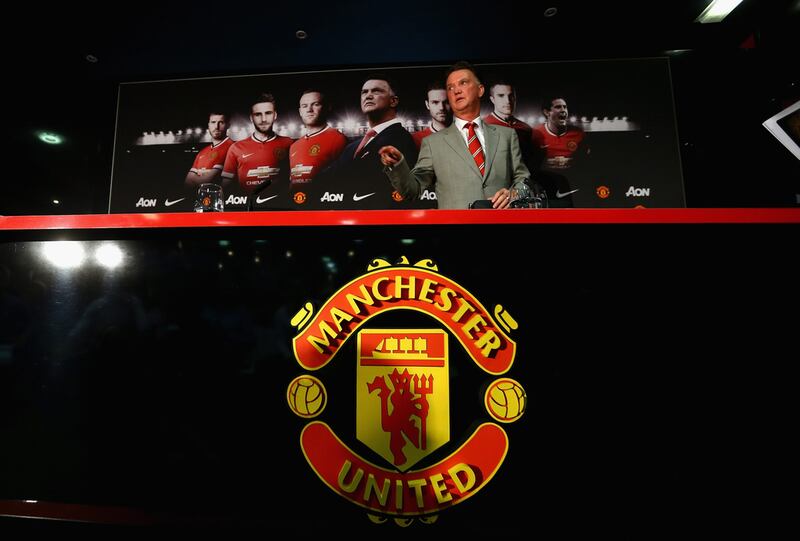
[(320, 145)]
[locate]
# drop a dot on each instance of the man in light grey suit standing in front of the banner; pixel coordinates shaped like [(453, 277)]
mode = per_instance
[(450, 161)]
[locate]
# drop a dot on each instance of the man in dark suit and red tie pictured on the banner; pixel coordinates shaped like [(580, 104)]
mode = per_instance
[(357, 173)]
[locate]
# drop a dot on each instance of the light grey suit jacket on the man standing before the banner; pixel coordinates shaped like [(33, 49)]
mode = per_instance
[(446, 165)]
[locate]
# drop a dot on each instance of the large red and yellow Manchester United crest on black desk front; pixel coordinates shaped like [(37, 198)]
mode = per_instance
[(402, 392)]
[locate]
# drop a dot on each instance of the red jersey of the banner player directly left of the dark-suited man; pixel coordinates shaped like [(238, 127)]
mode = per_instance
[(311, 153)]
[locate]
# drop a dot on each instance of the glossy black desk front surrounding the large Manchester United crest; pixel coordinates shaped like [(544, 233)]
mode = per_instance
[(160, 384)]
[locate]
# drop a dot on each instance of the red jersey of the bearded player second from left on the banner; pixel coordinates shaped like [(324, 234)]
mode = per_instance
[(253, 161)]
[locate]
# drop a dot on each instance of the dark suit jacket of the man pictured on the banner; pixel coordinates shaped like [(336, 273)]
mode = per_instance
[(360, 177)]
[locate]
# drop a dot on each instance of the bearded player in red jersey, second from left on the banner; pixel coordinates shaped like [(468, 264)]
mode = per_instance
[(263, 158)]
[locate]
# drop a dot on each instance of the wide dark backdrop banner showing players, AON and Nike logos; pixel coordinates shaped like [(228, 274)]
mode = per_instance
[(594, 134)]
